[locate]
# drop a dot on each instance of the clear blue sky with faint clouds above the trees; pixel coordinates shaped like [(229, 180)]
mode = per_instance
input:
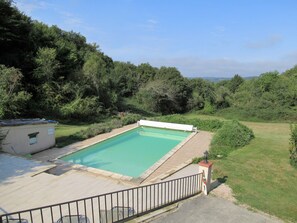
[(215, 38)]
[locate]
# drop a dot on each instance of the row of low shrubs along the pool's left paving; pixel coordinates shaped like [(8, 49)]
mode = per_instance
[(98, 128)]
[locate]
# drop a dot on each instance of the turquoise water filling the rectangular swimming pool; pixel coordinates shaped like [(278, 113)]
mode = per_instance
[(130, 153)]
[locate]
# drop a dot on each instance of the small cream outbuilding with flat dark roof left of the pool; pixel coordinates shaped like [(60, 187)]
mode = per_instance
[(26, 136)]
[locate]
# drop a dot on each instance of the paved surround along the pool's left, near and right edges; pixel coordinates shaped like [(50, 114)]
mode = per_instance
[(179, 157)]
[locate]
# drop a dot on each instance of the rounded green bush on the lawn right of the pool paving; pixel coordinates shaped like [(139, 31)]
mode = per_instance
[(231, 136)]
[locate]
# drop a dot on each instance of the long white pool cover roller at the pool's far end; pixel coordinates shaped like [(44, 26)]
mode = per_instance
[(167, 125)]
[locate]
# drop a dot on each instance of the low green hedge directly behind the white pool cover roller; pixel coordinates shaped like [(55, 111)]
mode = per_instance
[(202, 124)]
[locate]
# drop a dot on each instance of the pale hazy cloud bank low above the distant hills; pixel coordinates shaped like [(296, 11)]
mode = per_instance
[(220, 67)]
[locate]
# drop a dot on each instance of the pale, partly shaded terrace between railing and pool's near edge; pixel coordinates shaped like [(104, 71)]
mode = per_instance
[(23, 185)]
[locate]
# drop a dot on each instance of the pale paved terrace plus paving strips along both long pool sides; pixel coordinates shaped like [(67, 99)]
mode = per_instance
[(29, 183)]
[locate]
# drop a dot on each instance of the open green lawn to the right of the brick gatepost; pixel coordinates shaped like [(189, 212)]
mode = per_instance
[(260, 174)]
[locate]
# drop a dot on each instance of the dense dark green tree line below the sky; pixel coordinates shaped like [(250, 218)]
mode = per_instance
[(45, 71)]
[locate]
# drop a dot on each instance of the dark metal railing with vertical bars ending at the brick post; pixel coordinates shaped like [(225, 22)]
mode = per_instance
[(116, 206)]
